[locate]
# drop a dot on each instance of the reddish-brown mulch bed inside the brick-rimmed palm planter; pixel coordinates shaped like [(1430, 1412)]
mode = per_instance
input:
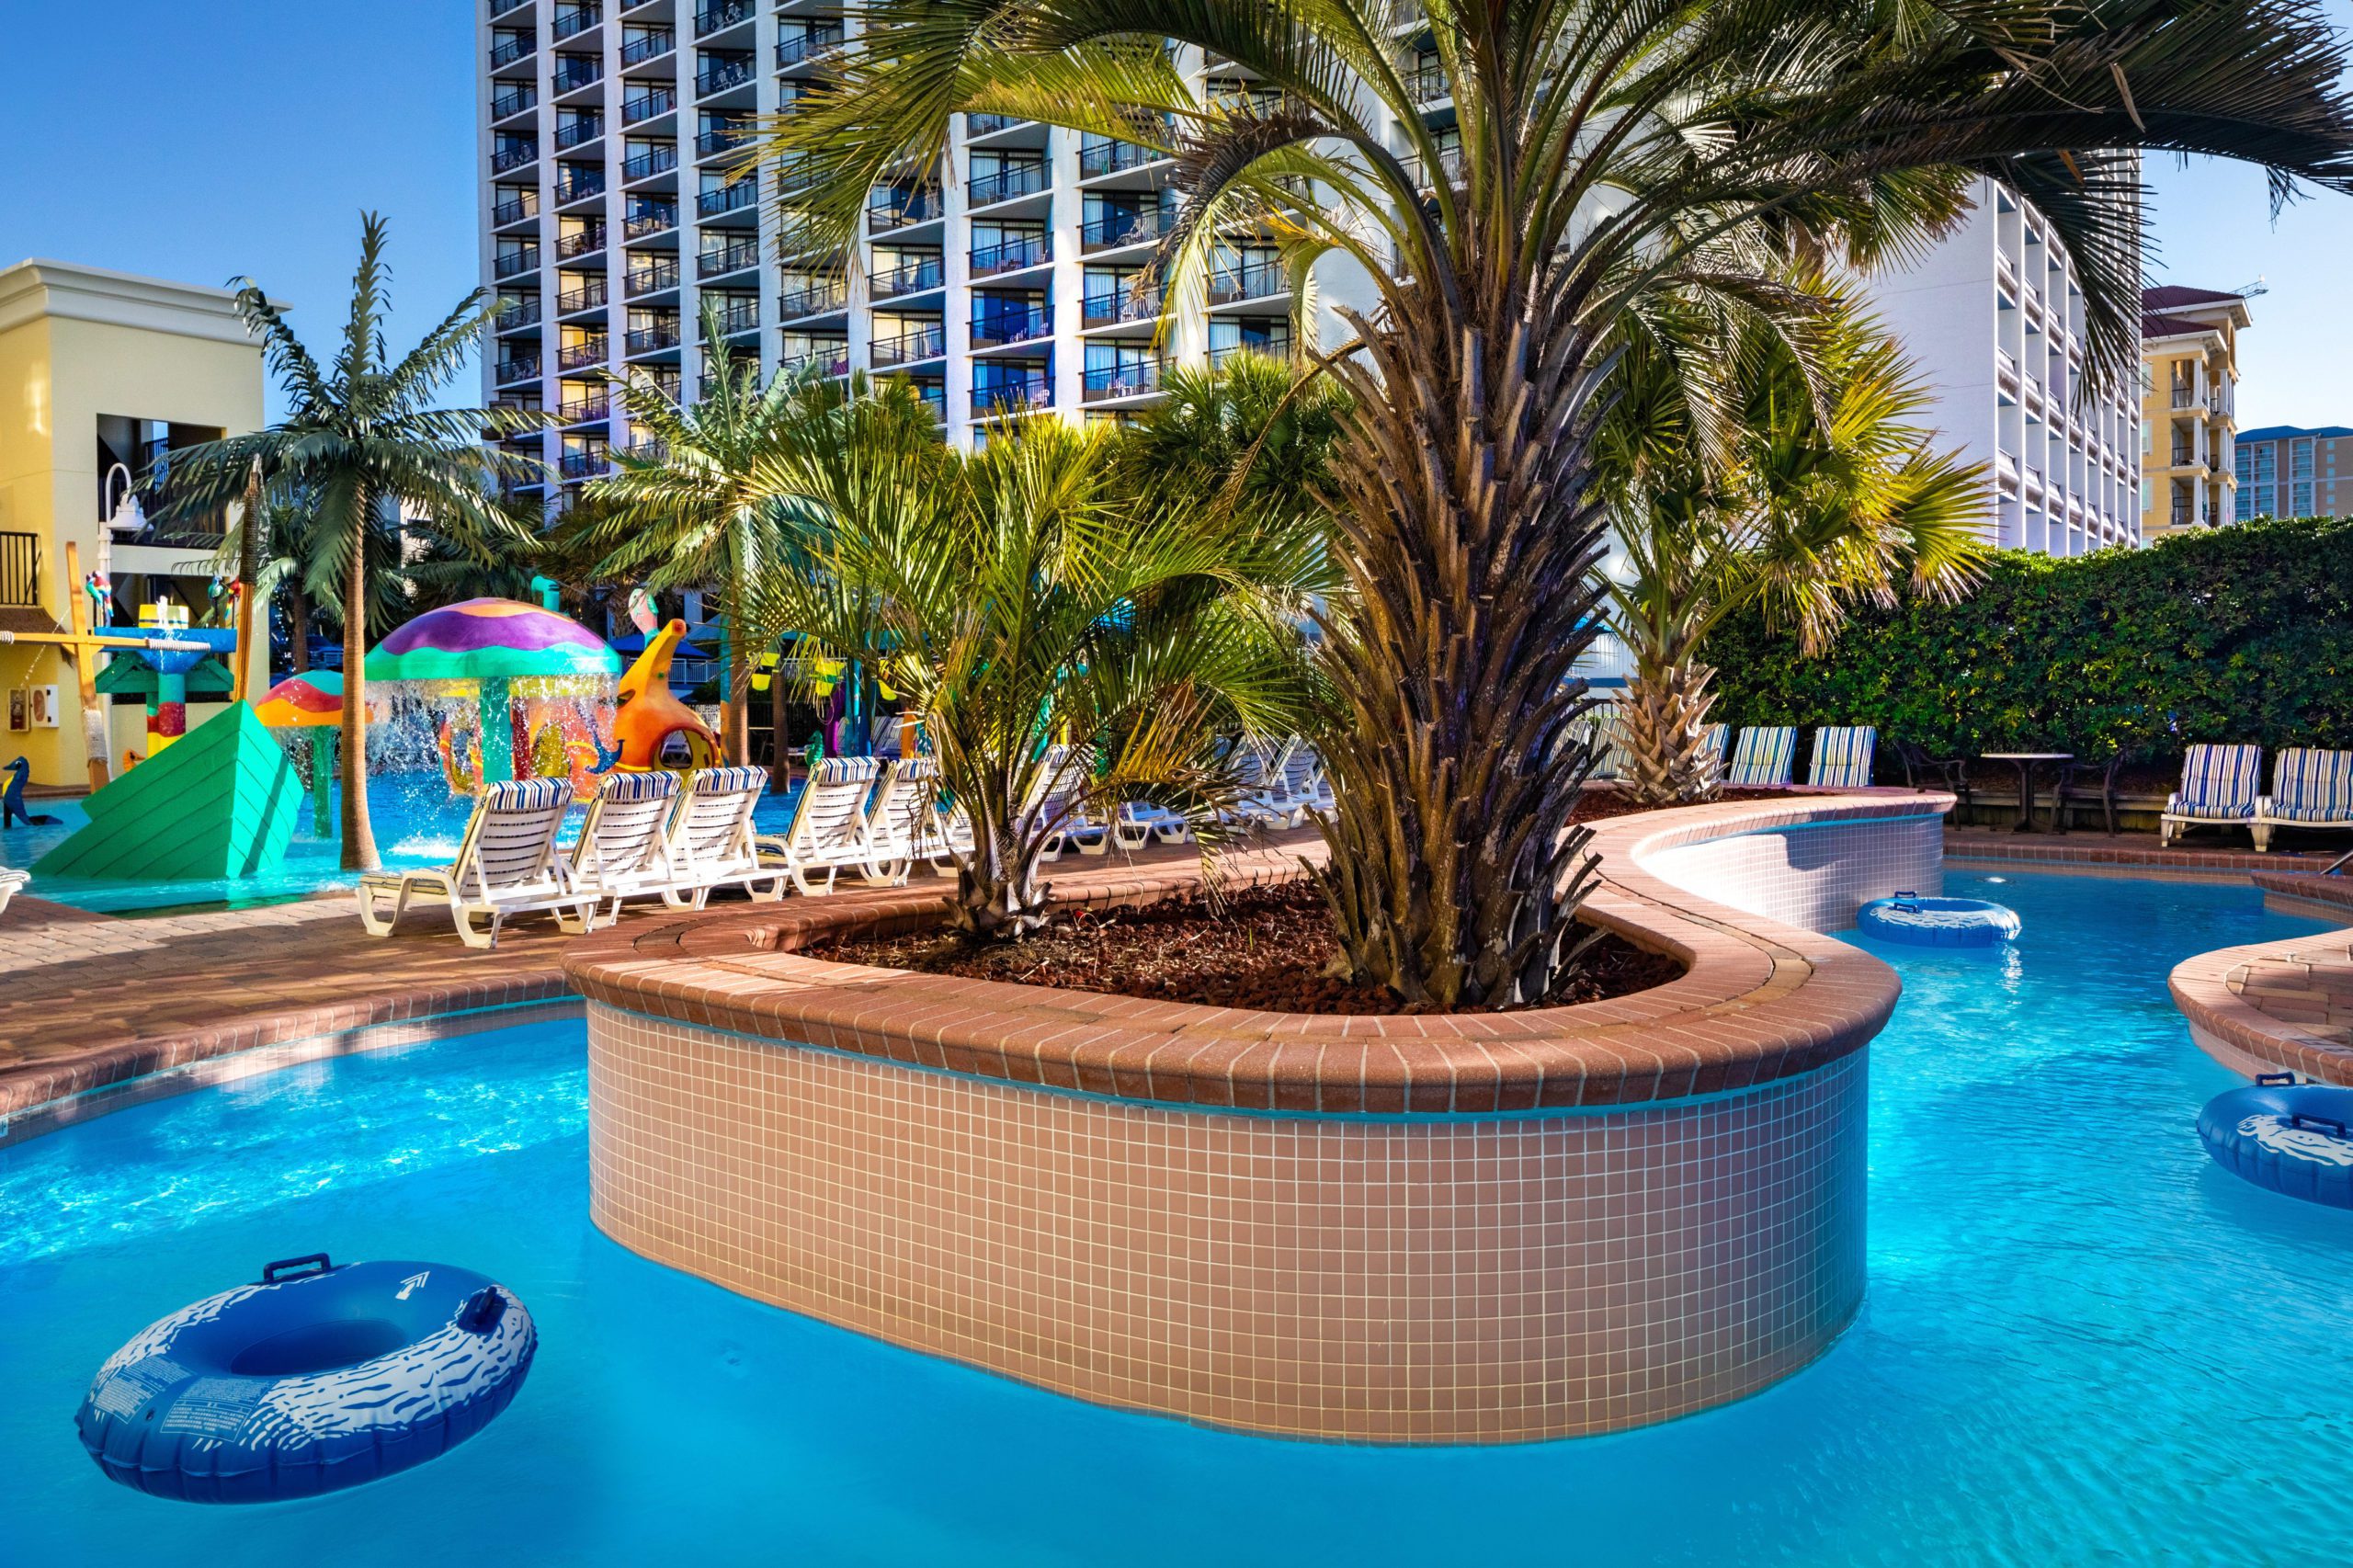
[(1262, 948)]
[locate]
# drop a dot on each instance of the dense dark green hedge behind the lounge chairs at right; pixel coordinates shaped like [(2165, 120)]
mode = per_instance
[(2237, 634)]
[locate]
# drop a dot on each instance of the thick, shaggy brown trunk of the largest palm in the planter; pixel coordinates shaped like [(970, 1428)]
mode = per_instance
[(1472, 538)]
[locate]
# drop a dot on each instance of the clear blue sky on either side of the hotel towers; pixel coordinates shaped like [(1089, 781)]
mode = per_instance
[(199, 142)]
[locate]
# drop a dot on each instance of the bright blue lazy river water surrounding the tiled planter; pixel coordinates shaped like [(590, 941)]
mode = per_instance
[(2081, 1341)]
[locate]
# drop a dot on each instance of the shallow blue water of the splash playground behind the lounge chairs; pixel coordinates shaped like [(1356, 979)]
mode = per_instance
[(415, 818)]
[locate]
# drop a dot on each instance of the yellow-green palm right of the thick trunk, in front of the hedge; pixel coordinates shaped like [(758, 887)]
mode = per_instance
[(1764, 458)]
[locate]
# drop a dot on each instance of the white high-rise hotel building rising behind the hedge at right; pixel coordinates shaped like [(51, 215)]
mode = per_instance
[(1994, 321)]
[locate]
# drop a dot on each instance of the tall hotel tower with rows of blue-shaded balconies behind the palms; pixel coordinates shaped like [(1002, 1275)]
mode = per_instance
[(611, 222)]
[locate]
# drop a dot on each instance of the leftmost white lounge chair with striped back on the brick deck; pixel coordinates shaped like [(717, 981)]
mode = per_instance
[(507, 865)]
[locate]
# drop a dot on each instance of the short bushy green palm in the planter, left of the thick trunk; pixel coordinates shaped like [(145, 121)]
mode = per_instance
[(1022, 597)]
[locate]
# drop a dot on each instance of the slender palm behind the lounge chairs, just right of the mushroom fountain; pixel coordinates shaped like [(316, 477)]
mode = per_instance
[(707, 510)]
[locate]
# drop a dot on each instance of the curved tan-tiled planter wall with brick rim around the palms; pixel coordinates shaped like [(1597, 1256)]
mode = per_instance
[(1422, 1230)]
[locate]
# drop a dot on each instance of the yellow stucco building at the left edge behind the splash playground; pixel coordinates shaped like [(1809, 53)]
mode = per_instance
[(102, 378)]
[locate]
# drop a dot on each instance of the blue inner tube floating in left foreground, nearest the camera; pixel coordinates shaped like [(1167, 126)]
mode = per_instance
[(314, 1381)]
